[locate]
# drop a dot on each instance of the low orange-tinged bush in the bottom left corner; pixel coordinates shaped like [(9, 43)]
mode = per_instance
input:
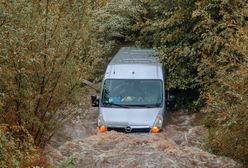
[(17, 147)]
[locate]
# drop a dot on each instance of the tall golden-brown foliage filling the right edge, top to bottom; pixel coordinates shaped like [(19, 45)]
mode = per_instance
[(223, 70)]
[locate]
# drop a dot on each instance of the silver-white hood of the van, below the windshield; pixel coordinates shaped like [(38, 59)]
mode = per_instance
[(136, 118)]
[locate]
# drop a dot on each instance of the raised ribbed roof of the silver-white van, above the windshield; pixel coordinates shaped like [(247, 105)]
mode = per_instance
[(134, 63)]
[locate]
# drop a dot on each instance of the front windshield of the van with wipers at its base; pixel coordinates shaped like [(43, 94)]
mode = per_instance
[(132, 92)]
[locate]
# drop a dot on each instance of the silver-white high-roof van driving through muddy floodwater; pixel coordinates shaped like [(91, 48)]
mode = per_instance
[(132, 96)]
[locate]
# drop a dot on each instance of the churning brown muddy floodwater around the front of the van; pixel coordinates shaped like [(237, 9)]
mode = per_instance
[(179, 145)]
